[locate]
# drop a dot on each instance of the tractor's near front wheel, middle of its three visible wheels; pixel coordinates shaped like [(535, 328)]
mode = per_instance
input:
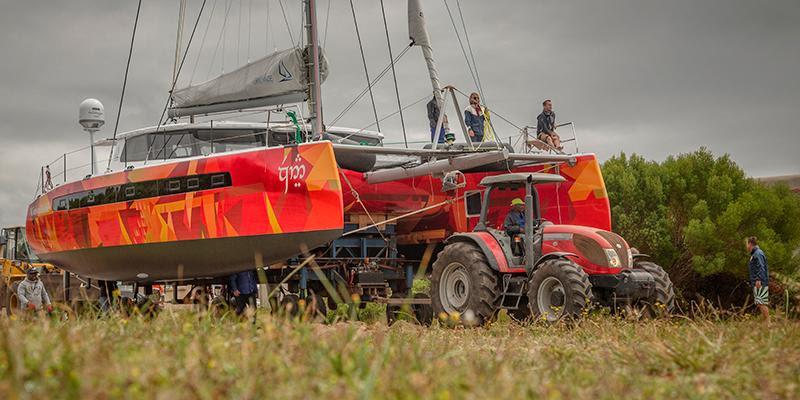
[(559, 288)]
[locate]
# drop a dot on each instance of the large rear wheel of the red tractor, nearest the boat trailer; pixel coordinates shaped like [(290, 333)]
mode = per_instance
[(464, 284)]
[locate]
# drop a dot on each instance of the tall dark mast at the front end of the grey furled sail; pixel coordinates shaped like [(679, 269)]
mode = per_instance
[(314, 90)]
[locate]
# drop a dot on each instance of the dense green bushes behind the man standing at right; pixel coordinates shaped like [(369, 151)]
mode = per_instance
[(692, 212)]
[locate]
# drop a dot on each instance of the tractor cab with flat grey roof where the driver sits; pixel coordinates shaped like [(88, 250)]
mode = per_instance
[(524, 247)]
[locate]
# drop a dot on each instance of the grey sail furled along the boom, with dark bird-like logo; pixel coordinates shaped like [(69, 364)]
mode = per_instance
[(279, 78)]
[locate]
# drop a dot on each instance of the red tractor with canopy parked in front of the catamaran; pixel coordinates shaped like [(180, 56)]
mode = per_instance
[(549, 271)]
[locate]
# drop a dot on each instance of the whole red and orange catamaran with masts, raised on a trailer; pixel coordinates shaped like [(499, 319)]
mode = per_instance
[(196, 200)]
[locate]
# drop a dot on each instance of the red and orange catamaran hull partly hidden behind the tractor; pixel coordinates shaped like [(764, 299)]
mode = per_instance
[(581, 200)]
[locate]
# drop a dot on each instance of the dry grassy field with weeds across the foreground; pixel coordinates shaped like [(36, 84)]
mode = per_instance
[(183, 355)]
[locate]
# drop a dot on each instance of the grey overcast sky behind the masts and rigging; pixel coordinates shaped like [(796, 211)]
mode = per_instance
[(641, 76)]
